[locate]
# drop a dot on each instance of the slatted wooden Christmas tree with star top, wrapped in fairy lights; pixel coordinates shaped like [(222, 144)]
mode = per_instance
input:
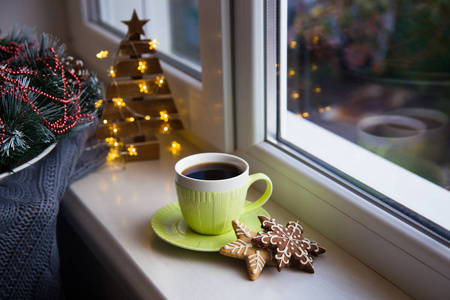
[(138, 103)]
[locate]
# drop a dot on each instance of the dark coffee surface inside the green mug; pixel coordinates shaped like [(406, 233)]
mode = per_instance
[(212, 171)]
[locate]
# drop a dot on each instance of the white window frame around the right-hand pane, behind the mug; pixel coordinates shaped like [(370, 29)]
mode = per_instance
[(407, 257)]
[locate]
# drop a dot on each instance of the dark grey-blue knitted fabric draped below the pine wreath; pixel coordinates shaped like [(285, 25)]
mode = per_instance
[(29, 204)]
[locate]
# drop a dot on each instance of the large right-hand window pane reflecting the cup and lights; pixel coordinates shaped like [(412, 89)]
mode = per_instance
[(372, 75)]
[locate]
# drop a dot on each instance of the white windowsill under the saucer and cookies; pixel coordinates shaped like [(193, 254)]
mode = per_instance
[(112, 211)]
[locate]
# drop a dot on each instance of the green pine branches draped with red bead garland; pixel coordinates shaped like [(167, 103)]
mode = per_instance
[(42, 100)]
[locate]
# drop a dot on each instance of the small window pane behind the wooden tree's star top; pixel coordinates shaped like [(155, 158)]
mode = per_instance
[(173, 24)]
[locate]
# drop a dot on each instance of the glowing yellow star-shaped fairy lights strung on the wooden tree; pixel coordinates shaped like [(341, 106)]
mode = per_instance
[(146, 87)]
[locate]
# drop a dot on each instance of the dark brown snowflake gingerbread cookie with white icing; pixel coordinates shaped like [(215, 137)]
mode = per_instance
[(288, 244)]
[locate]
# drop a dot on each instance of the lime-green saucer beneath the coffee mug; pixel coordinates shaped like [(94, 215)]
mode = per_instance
[(169, 225)]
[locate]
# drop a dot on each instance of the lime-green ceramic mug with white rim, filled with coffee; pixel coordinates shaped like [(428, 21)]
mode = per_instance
[(212, 189)]
